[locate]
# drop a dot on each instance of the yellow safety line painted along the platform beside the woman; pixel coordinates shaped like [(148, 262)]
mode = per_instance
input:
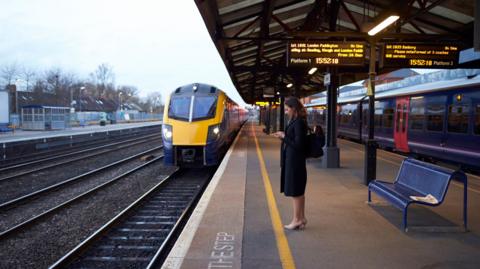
[(286, 257)]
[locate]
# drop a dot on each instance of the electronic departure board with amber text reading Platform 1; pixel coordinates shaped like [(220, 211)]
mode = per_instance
[(318, 53)]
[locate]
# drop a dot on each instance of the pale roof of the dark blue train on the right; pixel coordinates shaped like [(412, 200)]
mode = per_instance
[(426, 83)]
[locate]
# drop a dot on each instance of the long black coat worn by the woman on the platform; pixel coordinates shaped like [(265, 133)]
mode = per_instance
[(293, 163)]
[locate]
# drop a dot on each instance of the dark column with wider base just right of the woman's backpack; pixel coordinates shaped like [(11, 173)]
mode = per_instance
[(331, 158)]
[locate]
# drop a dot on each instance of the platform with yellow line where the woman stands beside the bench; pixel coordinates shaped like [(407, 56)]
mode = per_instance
[(238, 222)]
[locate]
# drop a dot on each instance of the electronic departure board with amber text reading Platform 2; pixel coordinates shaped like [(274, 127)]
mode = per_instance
[(420, 55)]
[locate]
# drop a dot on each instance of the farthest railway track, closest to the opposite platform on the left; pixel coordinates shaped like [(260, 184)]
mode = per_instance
[(99, 150)]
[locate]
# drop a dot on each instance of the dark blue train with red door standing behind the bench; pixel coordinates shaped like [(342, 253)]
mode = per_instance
[(439, 120)]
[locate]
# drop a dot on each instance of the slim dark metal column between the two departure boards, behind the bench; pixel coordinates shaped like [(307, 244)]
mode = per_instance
[(370, 162)]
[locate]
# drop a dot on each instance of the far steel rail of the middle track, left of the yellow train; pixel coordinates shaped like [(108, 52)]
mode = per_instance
[(23, 198)]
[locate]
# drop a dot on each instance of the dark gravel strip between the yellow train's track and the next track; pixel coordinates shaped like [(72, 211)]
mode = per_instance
[(42, 244)]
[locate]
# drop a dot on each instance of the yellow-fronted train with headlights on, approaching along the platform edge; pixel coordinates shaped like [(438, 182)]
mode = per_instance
[(199, 123)]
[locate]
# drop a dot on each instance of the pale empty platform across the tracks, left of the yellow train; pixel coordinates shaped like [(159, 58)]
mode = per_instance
[(20, 135)]
